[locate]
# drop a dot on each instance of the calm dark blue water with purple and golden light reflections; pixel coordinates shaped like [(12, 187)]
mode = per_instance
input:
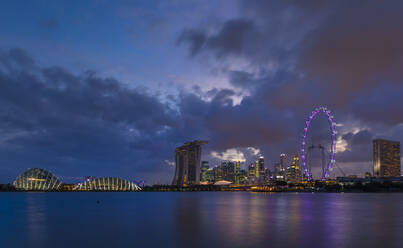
[(205, 219)]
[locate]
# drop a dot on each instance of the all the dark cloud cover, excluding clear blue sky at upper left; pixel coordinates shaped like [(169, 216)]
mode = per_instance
[(280, 60)]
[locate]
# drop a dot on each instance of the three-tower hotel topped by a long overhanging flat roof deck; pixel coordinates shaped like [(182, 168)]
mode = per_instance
[(187, 158)]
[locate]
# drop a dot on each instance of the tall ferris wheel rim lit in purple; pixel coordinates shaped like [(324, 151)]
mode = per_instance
[(324, 110)]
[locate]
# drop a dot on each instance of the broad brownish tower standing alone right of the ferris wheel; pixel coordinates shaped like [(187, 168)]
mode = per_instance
[(386, 158)]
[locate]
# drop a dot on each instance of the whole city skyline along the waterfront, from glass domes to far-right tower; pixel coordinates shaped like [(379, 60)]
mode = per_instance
[(192, 171)]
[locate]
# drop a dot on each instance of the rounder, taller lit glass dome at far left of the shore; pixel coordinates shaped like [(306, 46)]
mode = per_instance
[(37, 179)]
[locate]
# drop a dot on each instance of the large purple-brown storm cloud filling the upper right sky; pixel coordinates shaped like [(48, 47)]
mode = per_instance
[(338, 49)]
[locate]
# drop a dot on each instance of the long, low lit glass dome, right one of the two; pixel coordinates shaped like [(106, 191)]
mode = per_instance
[(107, 184)]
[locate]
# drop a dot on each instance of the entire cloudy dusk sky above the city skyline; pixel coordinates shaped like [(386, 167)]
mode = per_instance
[(110, 88)]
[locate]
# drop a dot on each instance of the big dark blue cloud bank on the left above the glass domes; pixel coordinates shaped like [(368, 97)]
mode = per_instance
[(79, 123)]
